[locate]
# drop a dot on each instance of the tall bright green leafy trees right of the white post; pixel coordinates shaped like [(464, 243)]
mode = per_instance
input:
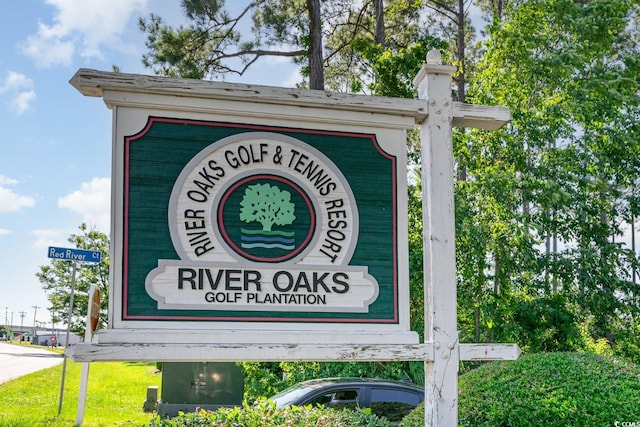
[(552, 194)]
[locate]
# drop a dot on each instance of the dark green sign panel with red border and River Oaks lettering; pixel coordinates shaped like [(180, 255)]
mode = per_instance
[(231, 222)]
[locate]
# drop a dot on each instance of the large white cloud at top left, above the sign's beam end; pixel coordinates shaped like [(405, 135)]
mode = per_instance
[(86, 26)]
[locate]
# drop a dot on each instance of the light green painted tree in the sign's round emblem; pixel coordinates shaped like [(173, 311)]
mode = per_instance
[(268, 205)]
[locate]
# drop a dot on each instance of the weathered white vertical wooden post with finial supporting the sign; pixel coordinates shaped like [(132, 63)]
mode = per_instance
[(441, 376)]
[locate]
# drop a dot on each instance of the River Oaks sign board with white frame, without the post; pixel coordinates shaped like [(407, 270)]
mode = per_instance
[(264, 211)]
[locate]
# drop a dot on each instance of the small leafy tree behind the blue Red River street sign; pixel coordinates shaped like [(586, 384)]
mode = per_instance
[(56, 281)]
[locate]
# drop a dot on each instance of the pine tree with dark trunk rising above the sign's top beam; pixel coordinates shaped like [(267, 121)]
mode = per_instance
[(323, 38)]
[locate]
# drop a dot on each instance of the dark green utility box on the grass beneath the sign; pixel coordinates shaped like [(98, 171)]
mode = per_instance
[(187, 386)]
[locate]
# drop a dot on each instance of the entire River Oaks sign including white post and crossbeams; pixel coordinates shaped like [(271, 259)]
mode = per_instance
[(256, 223)]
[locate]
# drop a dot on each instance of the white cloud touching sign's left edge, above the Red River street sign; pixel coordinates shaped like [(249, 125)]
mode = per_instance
[(92, 201)]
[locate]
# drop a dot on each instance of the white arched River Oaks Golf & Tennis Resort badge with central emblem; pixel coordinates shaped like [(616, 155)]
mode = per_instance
[(261, 197)]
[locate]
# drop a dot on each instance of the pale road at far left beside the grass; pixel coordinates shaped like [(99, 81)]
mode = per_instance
[(17, 360)]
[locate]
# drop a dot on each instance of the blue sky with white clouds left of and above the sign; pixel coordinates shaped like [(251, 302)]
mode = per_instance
[(55, 156)]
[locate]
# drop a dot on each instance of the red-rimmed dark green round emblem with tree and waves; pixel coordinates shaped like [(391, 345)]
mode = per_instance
[(266, 218)]
